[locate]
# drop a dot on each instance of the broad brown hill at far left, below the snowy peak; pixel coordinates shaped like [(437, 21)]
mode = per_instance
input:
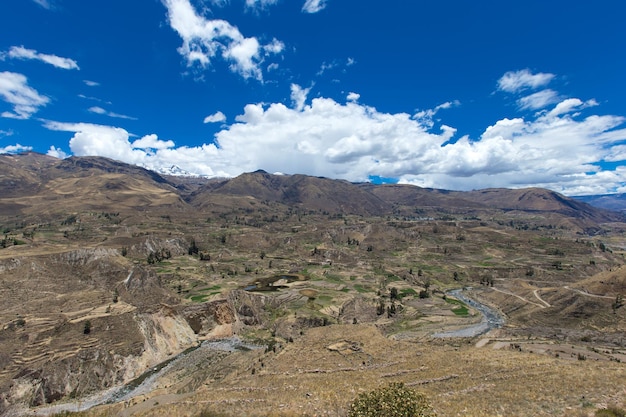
[(38, 184)]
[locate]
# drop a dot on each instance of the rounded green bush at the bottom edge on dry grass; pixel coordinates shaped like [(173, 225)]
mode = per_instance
[(394, 400)]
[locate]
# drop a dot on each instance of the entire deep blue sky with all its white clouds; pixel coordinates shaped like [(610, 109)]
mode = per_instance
[(447, 94)]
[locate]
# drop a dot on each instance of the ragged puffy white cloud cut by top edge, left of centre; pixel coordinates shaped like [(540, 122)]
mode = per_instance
[(205, 39)]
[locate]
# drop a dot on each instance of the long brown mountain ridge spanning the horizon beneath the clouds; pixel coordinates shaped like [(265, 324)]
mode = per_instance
[(32, 183)]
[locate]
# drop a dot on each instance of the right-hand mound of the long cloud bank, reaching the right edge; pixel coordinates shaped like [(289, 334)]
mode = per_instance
[(557, 149)]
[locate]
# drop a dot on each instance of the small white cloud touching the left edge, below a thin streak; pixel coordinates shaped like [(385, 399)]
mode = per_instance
[(25, 100)]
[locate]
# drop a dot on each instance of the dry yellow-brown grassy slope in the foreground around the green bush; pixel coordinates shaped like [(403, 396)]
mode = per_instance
[(308, 379)]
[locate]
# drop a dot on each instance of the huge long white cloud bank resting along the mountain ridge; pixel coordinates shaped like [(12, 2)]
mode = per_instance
[(557, 148)]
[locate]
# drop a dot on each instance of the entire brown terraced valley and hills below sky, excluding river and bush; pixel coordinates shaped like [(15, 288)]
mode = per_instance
[(93, 298)]
